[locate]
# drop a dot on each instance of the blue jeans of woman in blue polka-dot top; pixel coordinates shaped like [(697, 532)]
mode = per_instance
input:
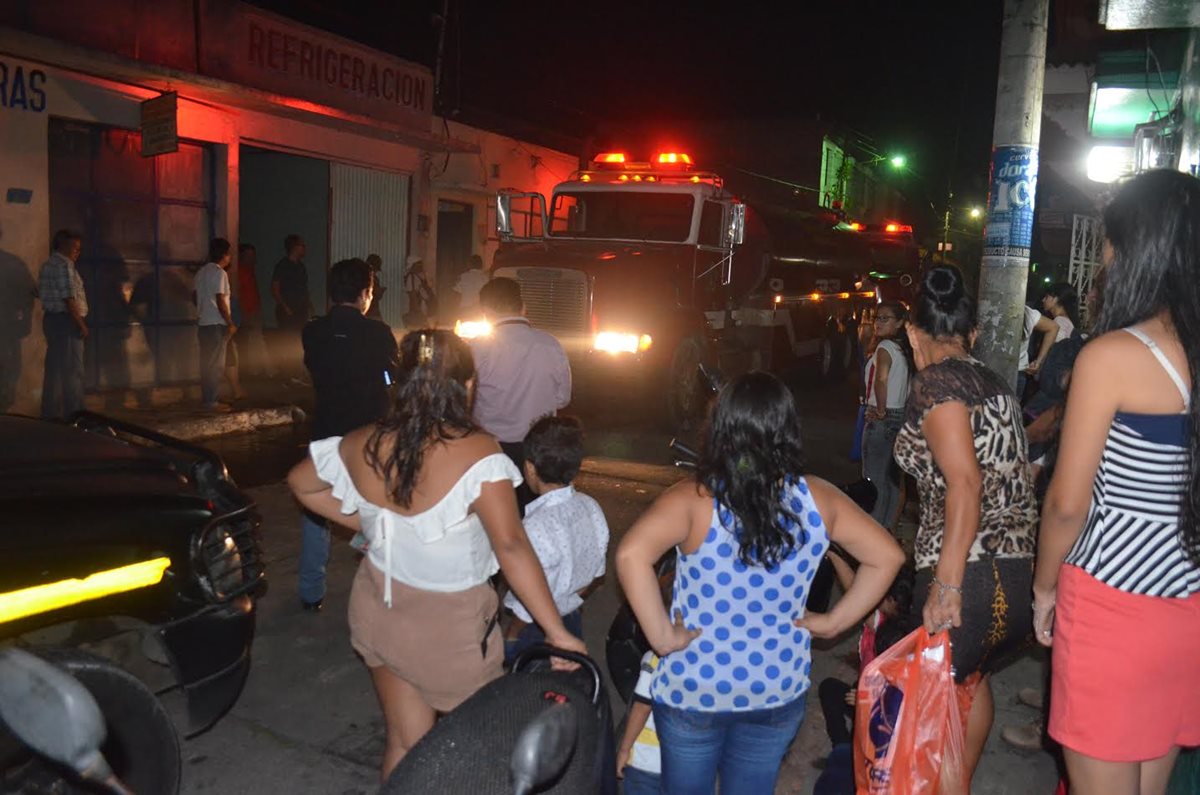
[(746, 749)]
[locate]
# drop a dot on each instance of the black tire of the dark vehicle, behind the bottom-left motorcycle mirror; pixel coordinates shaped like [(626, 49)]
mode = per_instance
[(142, 745)]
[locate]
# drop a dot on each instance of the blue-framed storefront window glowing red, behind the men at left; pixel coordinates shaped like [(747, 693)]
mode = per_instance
[(146, 224)]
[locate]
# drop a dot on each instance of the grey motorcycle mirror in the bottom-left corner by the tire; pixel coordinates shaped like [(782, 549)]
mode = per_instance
[(53, 714)]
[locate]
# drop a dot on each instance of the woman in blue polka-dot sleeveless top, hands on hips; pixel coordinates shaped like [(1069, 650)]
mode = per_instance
[(751, 531)]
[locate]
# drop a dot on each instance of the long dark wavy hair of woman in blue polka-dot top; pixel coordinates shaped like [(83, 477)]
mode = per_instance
[(752, 449)]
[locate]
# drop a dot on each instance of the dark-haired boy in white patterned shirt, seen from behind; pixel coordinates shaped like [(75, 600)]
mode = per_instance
[(567, 530)]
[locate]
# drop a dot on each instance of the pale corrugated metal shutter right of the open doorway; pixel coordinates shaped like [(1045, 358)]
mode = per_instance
[(369, 214)]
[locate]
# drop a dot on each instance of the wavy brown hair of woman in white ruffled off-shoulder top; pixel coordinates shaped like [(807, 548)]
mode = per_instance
[(431, 405)]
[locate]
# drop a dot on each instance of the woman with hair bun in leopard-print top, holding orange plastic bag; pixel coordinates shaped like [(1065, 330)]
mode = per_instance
[(964, 443)]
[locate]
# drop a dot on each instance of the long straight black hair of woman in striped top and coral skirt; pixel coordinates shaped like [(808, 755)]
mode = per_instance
[(1154, 225)]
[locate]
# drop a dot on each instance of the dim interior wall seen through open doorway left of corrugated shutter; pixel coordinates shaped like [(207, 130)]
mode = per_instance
[(283, 195)]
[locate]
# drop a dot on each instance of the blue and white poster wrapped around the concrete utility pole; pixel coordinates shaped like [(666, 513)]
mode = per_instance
[(1015, 182)]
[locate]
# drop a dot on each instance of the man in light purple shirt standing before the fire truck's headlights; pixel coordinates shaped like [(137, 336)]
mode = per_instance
[(521, 374)]
